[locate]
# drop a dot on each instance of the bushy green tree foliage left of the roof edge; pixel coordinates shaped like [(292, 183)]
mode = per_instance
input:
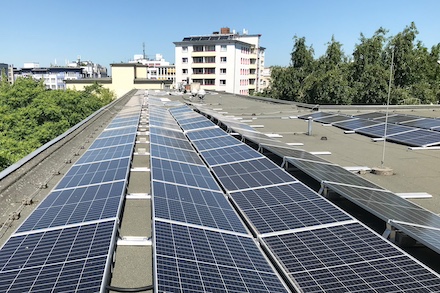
[(31, 115)]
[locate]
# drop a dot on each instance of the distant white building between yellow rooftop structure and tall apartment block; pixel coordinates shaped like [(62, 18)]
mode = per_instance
[(158, 68)]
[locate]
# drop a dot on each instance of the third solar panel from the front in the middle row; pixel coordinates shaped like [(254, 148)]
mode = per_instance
[(182, 173)]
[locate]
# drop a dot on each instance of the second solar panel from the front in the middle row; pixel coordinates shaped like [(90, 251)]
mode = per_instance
[(195, 206)]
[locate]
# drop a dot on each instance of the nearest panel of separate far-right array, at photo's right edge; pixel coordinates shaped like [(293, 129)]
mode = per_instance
[(418, 138)]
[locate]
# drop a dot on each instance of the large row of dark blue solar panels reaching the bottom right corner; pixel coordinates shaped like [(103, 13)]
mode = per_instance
[(317, 246)]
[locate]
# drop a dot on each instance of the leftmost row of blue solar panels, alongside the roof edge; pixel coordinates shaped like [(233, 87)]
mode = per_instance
[(67, 242)]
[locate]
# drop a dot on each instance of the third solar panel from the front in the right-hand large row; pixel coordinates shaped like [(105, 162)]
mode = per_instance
[(249, 174)]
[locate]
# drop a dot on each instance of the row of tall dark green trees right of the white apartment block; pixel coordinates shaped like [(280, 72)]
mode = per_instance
[(361, 78)]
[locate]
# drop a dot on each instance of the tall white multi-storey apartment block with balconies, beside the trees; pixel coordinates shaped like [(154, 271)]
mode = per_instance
[(223, 61)]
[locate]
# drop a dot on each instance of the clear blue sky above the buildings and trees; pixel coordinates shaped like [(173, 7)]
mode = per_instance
[(49, 31)]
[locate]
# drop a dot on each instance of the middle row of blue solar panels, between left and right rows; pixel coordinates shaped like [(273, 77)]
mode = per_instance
[(200, 242)]
